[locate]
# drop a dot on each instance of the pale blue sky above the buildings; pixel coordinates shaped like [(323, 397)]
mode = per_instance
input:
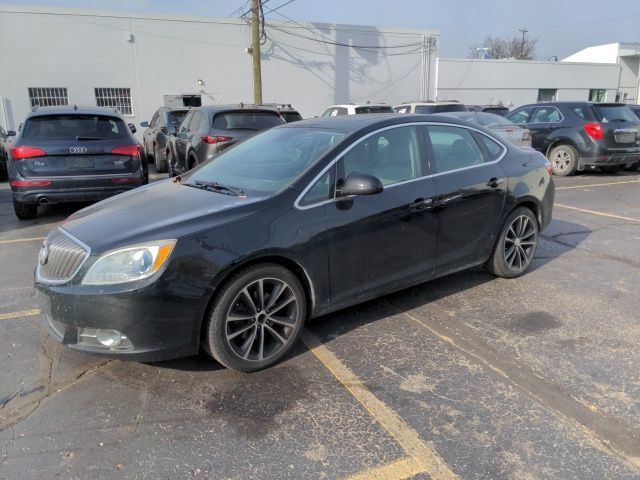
[(561, 27)]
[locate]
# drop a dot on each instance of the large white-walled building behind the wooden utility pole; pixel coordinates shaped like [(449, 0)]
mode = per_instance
[(136, 62)]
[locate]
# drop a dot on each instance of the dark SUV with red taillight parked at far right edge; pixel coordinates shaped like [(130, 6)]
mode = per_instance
[(578, 135)]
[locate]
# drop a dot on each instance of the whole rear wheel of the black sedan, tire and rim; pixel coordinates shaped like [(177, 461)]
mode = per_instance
[(511, 258)]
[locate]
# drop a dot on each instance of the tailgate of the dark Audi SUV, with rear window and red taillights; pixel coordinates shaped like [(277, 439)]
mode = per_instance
[(76, 145)]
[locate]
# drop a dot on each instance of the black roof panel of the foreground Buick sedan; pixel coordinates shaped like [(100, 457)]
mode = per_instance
[(351, 123)]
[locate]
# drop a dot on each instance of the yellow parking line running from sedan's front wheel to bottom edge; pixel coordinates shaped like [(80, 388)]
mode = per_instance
[(407, 438)]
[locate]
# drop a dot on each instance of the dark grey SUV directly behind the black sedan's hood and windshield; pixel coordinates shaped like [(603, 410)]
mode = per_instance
[(207, 131)]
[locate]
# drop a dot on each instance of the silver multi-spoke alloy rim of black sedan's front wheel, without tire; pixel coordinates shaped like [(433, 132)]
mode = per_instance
[(262, 319)]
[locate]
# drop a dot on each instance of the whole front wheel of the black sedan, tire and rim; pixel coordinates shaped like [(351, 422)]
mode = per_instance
[(240, 329)]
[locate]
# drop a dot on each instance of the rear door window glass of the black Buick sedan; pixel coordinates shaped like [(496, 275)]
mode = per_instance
[(453, 148)]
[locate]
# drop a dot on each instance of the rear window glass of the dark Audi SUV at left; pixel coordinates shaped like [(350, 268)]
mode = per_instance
[(74, 127)]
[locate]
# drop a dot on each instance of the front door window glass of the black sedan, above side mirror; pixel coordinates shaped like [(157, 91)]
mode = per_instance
[(392, 155)]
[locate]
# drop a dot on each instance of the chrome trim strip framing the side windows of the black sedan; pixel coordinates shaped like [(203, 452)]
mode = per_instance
[(297, 205)]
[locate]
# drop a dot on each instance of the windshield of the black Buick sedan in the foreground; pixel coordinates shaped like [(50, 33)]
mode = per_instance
[(268, 162)]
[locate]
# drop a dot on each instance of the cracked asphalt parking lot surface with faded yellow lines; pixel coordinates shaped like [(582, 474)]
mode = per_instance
[(465, 377)]
